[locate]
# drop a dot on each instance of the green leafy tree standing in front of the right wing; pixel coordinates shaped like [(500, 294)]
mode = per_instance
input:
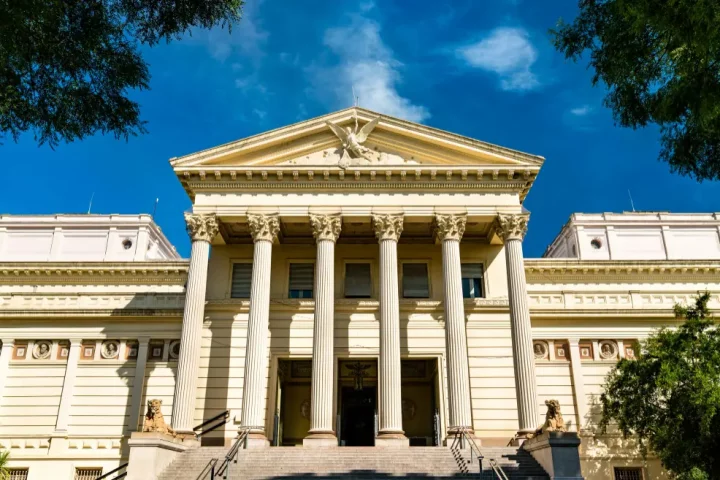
[(669, 398)]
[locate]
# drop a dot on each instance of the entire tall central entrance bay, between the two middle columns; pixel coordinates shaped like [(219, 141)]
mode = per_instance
[(357, 402)]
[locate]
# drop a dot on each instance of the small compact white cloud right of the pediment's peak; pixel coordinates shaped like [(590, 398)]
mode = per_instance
[(507, 52)]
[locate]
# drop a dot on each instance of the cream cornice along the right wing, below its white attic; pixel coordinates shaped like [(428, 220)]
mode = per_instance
[(614, 271)]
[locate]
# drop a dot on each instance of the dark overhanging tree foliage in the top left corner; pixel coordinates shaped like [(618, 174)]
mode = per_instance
[(66, 65)]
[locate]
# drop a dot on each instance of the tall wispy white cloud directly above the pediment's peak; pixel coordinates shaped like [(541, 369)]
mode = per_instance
[(369, 67)]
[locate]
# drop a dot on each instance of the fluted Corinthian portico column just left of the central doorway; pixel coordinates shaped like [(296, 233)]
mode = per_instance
[(326, 229)]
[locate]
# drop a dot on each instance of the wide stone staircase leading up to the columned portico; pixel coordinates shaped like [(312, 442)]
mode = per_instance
[(357, 462)]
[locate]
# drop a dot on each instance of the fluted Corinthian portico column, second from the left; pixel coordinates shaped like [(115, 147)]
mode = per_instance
[(264, 230)]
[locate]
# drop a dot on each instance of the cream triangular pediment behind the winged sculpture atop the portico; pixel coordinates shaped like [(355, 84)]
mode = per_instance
[(391, 142)]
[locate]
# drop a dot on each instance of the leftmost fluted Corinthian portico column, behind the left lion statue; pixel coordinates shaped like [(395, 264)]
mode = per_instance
[(202, 229)]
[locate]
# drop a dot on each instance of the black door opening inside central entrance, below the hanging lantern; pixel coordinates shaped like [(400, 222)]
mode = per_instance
[(358, 417)]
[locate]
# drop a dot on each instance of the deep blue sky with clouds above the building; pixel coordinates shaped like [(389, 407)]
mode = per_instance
[(478, 68)]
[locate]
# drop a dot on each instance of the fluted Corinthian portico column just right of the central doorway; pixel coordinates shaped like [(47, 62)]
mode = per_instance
[(387, 230)]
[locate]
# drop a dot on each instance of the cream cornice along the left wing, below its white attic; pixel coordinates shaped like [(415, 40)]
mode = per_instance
[(136, 273)]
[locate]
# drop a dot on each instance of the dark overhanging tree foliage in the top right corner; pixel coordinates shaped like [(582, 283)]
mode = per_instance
[(660, 60)]
